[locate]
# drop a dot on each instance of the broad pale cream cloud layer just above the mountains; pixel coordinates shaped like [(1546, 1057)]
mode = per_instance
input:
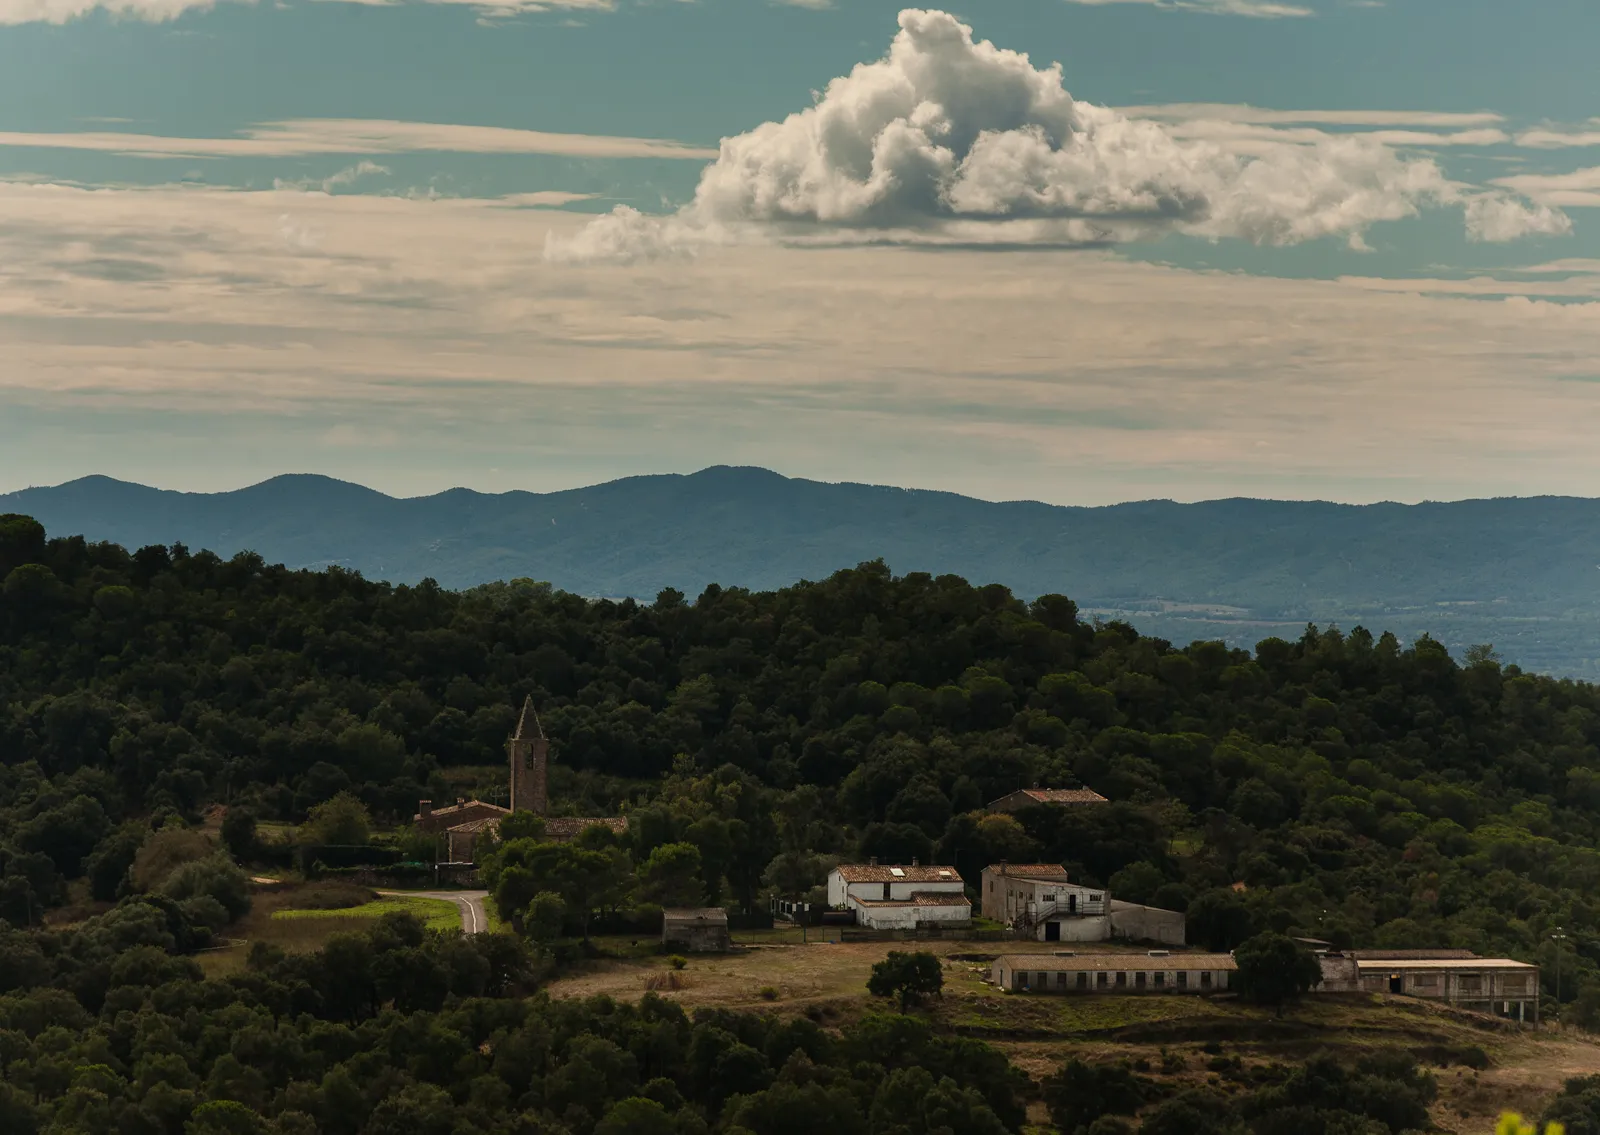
[(167, 334)]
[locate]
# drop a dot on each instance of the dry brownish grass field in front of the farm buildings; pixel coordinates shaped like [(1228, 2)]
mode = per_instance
[(1167, 1037)]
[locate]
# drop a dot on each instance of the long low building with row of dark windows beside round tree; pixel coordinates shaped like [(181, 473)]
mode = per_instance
[(1154, 973)]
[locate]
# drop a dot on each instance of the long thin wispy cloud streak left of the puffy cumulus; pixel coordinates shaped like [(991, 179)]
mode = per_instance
[(302, 137)]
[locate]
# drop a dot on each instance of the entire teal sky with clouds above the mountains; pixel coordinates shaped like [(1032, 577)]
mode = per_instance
[(1065, 251)]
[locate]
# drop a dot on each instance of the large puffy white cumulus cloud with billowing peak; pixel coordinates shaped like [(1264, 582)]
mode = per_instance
[(956, 140)]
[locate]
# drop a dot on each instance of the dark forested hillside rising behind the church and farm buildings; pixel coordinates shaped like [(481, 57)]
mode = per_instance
[(1358, 788)]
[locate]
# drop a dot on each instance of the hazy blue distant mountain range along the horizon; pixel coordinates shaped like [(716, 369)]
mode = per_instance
[(1522, 574)]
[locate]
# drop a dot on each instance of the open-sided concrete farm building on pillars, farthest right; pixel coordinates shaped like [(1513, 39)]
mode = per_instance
[(1489, 985)]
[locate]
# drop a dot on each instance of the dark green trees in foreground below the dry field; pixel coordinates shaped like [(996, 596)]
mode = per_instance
[(401, 1032)]
